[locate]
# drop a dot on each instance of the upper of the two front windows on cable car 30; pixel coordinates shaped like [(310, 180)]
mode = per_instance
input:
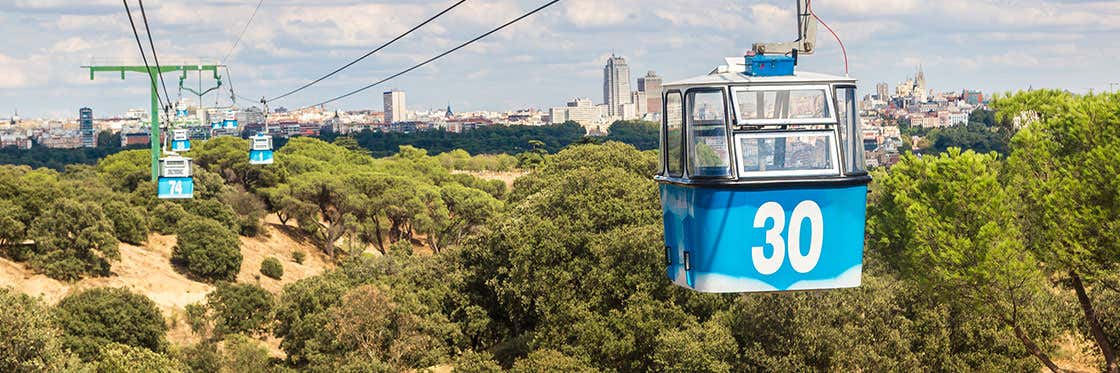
[(786, 106)]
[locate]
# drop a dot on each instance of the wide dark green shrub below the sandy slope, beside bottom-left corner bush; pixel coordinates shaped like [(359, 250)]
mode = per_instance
[(98, 318)]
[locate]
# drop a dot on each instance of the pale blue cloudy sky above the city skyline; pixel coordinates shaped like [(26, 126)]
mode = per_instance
[(542, 62)]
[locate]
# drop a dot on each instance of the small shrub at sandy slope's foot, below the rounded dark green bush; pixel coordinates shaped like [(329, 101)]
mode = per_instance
[(240, 309)]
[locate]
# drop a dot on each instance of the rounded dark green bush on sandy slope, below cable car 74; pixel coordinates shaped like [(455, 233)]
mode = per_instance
[(208, 250)]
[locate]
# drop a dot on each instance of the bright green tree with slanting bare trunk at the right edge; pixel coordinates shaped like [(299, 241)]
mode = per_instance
[(1065, 171)]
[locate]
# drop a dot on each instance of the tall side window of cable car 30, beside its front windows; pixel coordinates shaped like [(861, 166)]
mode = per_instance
[(708, 150)]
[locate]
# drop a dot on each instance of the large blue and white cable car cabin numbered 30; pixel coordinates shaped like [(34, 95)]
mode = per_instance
[(763, 182)]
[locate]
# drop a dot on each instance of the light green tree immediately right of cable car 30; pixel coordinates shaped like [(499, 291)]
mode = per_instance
[(945, 222)]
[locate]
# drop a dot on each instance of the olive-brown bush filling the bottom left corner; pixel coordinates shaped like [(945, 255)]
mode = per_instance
[(30, 340)]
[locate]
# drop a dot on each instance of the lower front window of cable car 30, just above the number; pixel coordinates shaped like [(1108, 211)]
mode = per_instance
[(787, 154)]
